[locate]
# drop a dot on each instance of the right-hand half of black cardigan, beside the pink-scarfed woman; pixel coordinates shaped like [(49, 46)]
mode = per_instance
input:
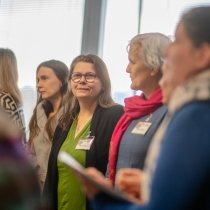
[(102, 126)]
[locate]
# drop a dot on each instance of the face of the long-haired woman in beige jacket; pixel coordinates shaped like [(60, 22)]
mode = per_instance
[(48, 84)]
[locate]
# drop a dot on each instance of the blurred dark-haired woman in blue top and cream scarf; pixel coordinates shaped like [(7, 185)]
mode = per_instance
[(176, 173)]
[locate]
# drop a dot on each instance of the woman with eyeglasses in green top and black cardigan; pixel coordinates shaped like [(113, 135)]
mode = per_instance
[(84, 131)]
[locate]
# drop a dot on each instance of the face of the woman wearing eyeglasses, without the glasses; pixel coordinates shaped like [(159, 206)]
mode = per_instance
[(83, 89)]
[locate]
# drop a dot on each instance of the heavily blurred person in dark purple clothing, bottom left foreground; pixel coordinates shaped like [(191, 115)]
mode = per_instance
[(19, 187)]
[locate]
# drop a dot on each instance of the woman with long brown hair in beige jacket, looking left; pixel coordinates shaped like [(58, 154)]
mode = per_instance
[(51, 86)]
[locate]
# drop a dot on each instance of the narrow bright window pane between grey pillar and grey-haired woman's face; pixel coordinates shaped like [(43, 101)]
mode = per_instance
[(121, 24)]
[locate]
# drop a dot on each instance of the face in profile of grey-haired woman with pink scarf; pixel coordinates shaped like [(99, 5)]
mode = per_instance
[(140, 74)]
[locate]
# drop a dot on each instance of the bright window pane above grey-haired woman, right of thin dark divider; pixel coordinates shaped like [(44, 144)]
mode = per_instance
[(163, 15)]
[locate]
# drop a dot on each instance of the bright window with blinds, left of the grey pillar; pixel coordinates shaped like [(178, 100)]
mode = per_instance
[(40, 30)]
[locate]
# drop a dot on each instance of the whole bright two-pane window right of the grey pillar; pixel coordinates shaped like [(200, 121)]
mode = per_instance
[(126, 18)]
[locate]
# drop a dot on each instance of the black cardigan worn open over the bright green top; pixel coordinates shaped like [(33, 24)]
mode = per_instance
[(102, 126)]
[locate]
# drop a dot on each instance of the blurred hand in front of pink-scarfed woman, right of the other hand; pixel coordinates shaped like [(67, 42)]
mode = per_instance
[(129, 181)]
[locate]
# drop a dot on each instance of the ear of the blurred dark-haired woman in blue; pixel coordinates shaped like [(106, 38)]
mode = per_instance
[(203, 56)]
